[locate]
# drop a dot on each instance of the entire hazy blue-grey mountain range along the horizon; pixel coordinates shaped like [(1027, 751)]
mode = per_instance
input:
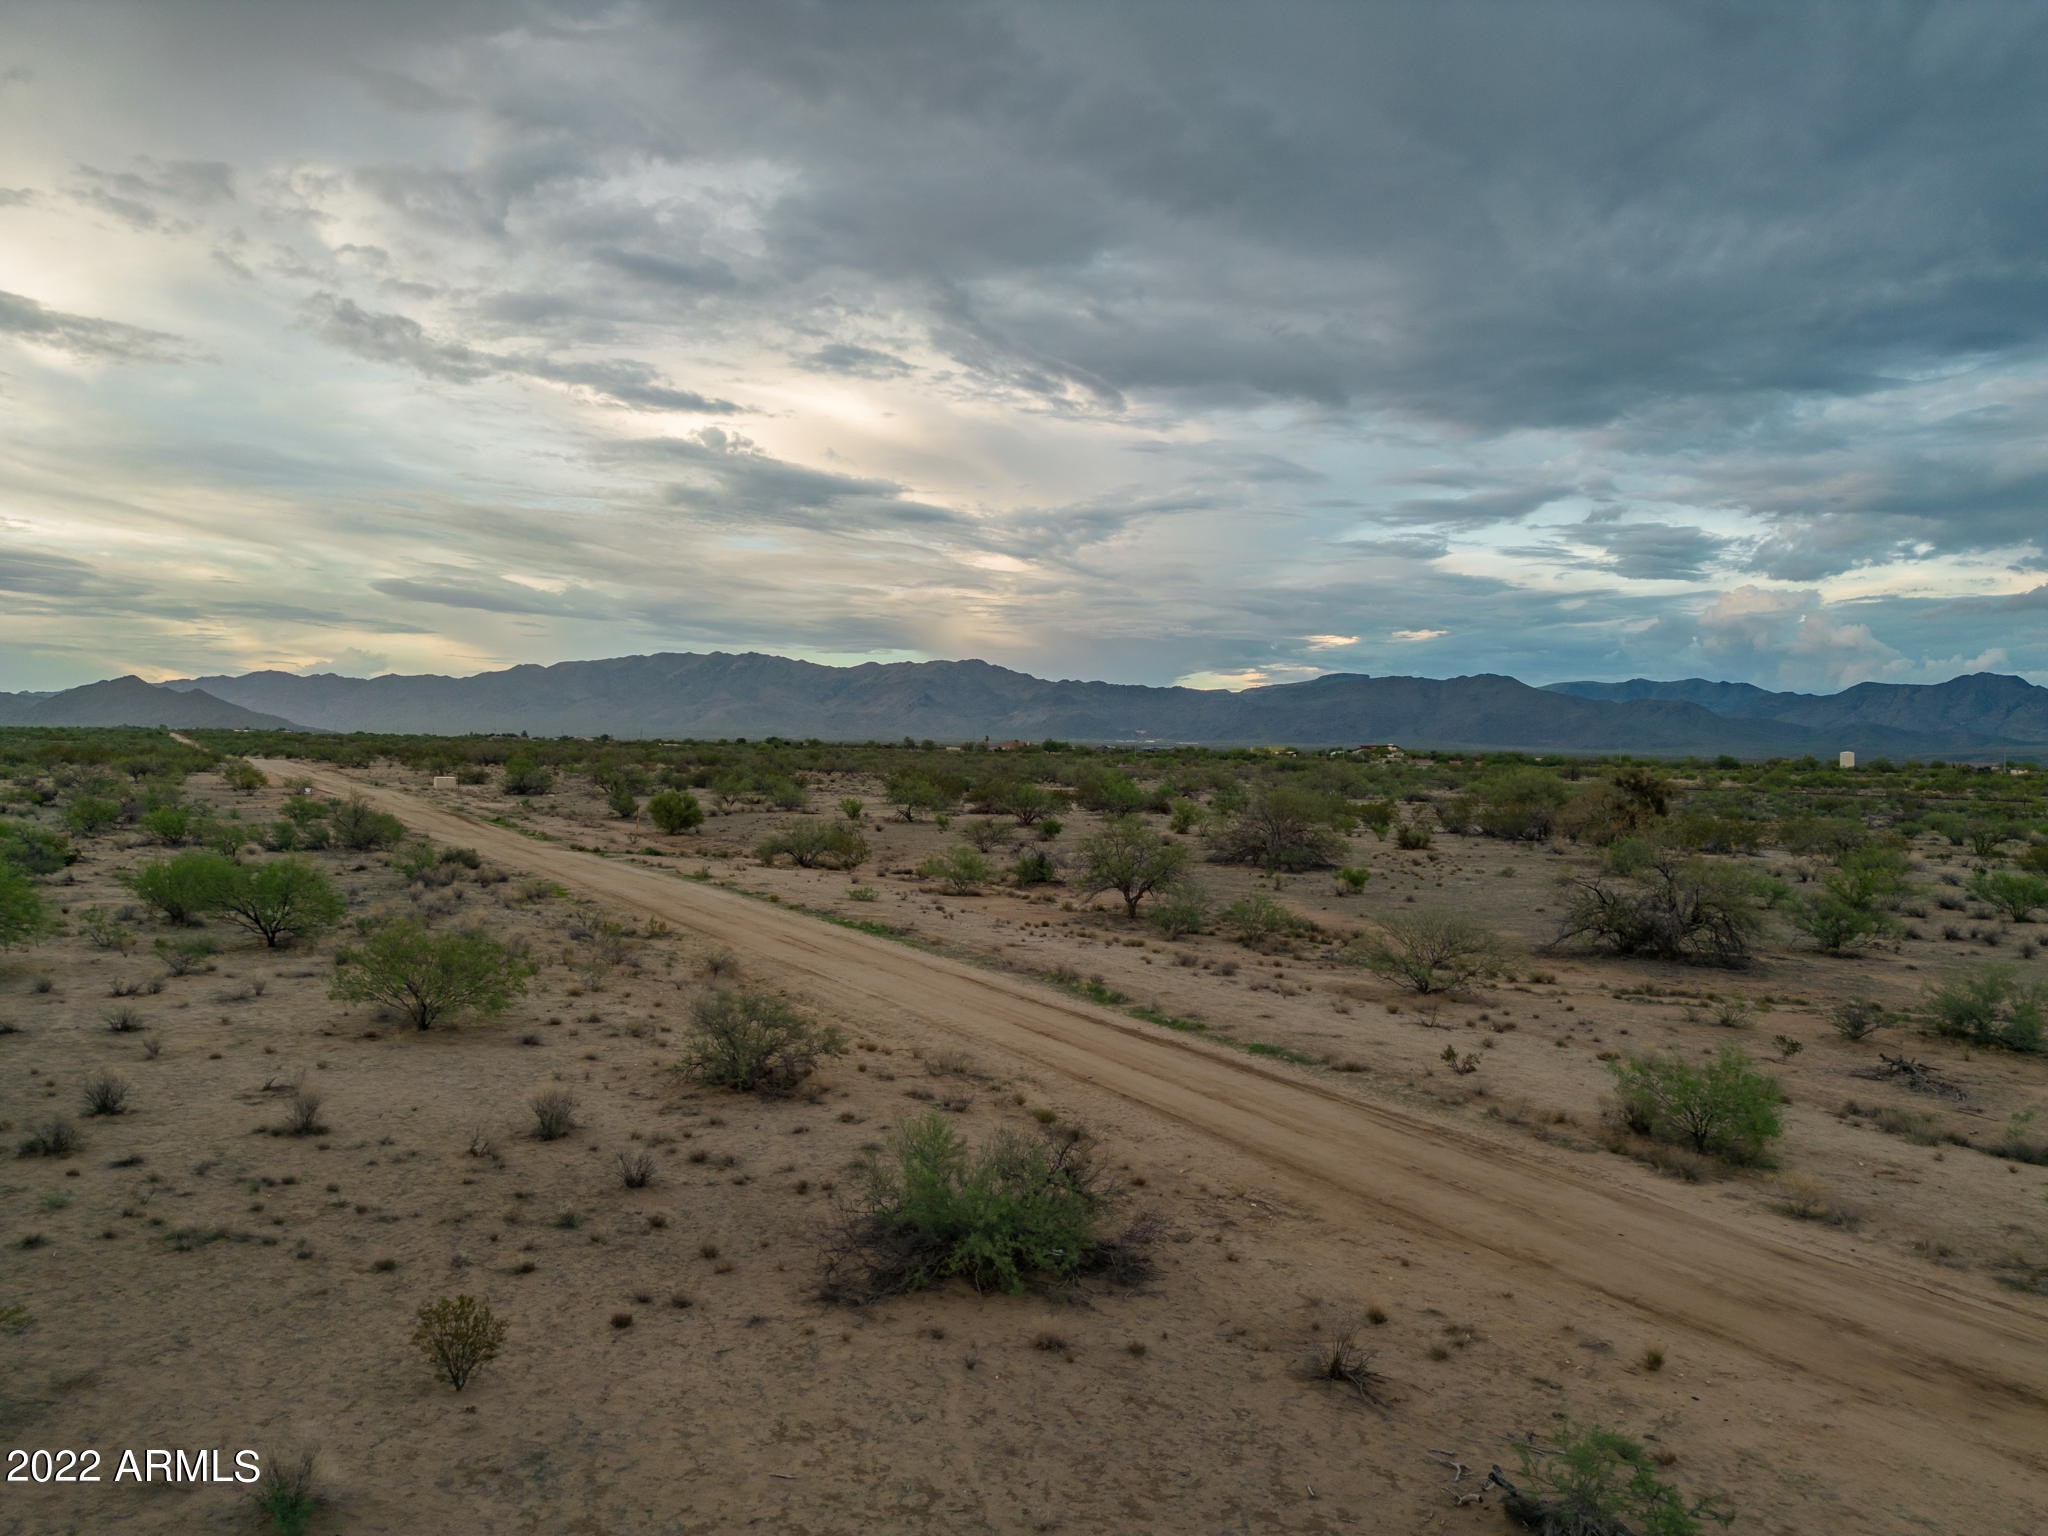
[(720, 695)]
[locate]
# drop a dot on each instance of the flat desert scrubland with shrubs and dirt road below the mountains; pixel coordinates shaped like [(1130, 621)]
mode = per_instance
[(1390, 1119)]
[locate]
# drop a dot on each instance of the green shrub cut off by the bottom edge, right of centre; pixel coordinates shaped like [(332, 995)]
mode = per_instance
[(1601, 1484)]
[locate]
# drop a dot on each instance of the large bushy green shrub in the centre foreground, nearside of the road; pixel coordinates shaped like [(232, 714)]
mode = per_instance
[(998, 1215)]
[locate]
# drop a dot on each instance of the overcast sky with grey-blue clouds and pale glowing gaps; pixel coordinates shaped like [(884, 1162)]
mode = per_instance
[(1138, 341)]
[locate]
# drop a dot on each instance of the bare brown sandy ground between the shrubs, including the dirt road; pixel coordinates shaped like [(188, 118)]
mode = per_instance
[(1824, 1381)]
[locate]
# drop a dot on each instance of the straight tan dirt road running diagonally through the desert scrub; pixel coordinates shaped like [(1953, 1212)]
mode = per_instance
[(1918, 1363)]
